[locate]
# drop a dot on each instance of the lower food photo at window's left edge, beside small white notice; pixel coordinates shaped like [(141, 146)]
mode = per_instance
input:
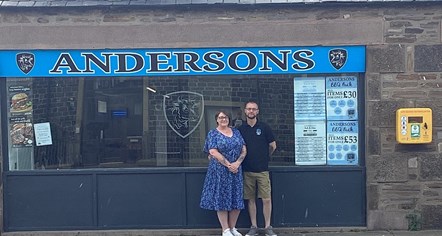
[(21, 134)]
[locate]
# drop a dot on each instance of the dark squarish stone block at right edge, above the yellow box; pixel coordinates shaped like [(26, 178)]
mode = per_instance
[(428, 58)]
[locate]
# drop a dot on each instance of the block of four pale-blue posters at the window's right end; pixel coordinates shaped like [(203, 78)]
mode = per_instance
[(326, 120)]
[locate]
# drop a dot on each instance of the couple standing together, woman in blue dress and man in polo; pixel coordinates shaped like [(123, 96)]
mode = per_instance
[(225, 188)]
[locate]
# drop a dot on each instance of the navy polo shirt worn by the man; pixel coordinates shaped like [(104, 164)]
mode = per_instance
[(257, 140)]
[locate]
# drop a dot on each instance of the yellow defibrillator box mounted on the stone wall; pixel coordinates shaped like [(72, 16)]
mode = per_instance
[(414, 125)]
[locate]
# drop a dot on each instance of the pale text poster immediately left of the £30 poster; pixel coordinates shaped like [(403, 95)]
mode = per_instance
[(309, 97)]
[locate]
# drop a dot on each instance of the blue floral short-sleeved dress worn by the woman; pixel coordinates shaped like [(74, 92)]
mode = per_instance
[(223, 190)]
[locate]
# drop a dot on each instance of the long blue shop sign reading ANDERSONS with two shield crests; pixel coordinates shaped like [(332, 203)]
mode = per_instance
[(176, 62)]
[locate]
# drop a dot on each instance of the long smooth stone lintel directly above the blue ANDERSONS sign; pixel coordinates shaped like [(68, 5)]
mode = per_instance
[(188, 34)]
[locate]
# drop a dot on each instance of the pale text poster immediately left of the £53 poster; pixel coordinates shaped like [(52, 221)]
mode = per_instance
[(310, 143)]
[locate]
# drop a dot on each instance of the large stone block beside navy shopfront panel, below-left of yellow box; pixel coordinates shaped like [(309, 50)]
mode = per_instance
[(387, 168)]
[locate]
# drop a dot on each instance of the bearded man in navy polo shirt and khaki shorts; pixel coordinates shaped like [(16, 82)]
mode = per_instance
[(260, 143)]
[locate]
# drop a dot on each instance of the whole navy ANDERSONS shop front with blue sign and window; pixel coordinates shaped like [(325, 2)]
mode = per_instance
[(112, 138)]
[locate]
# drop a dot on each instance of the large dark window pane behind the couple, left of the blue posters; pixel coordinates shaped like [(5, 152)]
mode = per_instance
[(124, 122)]
